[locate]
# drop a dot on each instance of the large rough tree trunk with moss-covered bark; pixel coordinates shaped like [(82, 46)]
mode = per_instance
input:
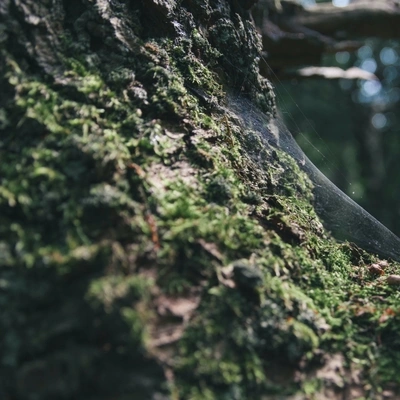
[(145, 254)]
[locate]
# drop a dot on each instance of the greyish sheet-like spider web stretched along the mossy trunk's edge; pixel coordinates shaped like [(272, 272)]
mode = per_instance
[(341, 215)]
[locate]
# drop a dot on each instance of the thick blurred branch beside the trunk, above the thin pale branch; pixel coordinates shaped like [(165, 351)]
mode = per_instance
[(294, 36)]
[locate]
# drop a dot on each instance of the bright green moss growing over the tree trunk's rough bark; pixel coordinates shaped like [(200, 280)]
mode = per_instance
[(129, 185)]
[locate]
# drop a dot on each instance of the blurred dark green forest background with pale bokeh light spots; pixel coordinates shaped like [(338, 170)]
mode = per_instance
[(350, 128)]
